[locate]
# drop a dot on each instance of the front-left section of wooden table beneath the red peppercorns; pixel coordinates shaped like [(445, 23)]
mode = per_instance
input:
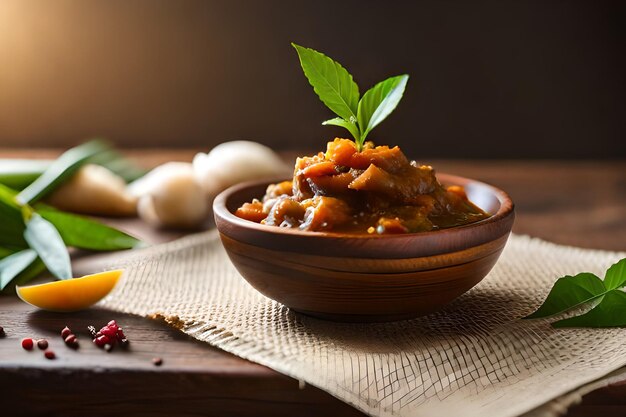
[(194, 379)]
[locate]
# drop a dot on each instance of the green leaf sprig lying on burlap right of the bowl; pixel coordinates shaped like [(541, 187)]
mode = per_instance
[(607, 297)]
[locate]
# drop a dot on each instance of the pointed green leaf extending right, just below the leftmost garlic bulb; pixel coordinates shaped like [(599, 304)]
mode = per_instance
[(85, 233)]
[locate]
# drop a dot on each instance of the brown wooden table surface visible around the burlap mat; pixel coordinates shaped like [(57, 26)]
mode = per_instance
[(581, 203)]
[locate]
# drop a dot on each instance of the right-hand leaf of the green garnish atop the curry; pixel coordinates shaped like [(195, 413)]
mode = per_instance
[(379, 101)]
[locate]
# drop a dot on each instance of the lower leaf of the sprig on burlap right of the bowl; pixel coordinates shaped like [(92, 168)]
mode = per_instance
[(611, 312)]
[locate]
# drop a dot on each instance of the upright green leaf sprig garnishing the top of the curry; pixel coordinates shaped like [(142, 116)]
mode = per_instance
[(340, 93)]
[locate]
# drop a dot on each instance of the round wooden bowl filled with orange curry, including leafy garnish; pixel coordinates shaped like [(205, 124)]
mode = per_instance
[(361, 233)]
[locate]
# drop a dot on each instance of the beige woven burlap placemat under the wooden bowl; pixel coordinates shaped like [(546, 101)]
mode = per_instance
[(475, 358)]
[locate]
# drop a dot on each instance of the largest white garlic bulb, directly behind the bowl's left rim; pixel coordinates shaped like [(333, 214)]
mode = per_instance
[(233, 162)]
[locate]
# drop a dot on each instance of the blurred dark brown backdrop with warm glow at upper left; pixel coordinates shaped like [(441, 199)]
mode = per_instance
[(512, 79)]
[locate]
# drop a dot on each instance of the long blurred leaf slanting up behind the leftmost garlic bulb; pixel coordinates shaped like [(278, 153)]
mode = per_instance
[(60, 170)]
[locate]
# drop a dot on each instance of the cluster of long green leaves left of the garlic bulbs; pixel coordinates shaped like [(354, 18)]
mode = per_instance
[(34, 237)]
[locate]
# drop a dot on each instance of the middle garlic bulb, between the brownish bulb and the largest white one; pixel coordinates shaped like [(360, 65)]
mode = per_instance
[(170, 196)]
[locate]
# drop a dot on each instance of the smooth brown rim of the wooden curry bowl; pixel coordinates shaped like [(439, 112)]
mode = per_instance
[(220, 209)]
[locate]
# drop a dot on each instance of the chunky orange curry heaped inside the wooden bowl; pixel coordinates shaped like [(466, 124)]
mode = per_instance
[(374, 191)]
